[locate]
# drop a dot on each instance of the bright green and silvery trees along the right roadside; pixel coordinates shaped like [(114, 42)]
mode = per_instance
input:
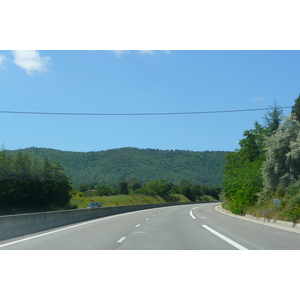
[(267, 164)]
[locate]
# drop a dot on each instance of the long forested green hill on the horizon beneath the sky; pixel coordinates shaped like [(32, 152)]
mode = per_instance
[(111, 166)]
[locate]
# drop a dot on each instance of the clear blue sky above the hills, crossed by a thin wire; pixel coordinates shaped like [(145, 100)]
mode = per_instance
[(140, 82)]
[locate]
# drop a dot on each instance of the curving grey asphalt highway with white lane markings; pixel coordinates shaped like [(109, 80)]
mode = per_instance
[(184, 227)]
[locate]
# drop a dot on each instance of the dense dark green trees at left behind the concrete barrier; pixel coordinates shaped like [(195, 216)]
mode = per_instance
[(30, 185)]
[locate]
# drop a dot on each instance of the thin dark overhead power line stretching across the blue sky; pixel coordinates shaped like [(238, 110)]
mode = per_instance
[(136, 114)]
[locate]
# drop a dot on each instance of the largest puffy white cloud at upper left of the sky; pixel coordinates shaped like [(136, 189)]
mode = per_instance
[(31, 61)]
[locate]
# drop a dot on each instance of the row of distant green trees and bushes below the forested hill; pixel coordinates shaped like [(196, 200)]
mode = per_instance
[(156, 187)]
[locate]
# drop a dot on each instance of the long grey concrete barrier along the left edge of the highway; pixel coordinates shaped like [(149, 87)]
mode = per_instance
[(18, 225)]
